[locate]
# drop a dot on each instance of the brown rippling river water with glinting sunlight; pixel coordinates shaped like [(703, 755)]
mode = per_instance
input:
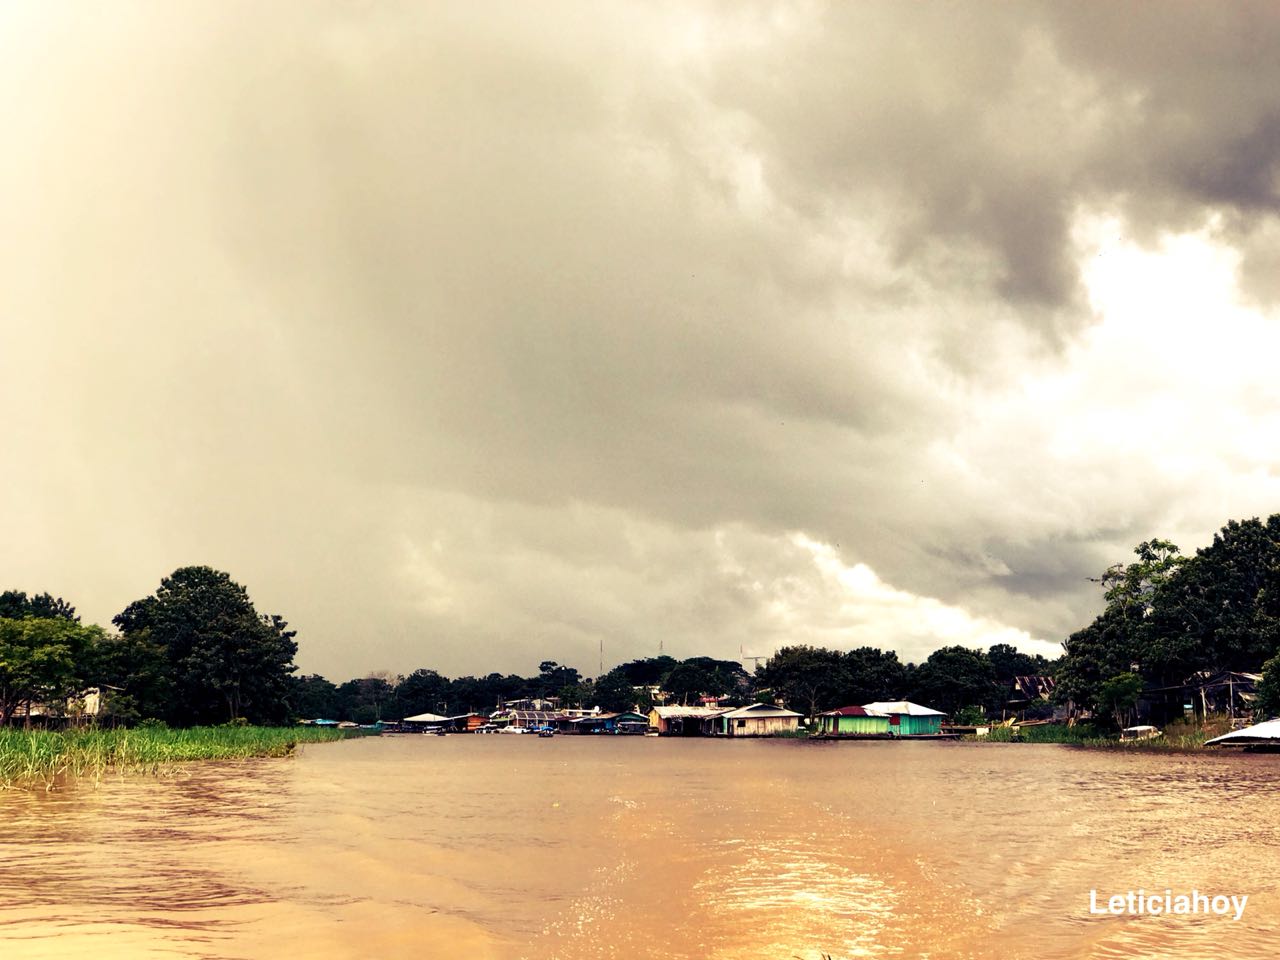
[(593, 848)]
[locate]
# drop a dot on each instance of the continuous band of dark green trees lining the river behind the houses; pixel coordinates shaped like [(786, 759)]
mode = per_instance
[(198, 652)]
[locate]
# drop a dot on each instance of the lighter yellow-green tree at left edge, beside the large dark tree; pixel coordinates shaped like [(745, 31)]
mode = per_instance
[(42, 660)]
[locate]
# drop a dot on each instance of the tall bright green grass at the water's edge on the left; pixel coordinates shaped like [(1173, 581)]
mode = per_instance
[(43, 760)]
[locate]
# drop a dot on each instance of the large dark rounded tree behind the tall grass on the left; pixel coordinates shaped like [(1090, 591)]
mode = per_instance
[(226, 660)]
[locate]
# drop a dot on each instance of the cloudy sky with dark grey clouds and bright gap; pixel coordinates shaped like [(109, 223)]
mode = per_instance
[(469, 337)]
